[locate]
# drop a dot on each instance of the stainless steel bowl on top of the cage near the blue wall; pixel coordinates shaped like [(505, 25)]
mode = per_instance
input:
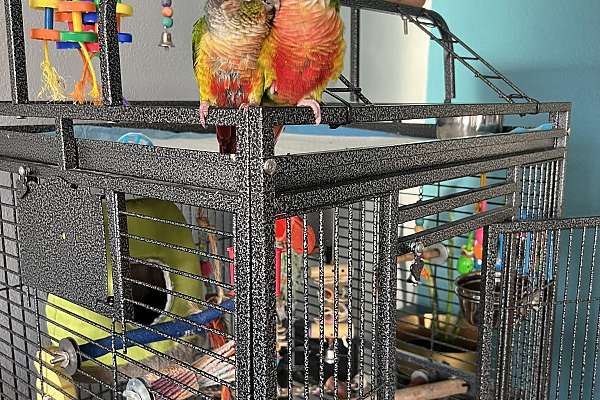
[(474, 125)]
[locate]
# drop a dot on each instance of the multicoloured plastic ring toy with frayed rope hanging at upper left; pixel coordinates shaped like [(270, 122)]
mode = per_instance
[(81, 18)]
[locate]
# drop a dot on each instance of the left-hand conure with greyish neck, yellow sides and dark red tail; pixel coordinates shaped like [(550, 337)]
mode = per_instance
[(226, 44)]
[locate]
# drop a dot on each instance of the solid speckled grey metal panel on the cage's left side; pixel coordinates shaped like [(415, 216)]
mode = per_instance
[(63, 247)]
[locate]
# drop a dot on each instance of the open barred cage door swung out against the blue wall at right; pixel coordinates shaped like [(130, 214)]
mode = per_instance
[(541, 310)]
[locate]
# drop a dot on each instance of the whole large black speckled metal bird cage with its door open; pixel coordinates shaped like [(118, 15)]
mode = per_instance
[(140, 272)]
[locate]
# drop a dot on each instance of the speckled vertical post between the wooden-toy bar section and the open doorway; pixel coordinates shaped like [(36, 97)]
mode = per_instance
[(386, 296)]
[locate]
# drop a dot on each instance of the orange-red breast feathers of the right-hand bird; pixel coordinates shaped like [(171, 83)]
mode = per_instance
[(308, 50)]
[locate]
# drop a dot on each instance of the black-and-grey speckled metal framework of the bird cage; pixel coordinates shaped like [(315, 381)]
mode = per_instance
[(255, 187)]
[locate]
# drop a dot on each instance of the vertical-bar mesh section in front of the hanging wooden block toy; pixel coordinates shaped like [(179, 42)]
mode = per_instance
[(327, 307)]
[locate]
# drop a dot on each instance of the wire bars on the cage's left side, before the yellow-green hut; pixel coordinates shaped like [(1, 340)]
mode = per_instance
[(179, 322)]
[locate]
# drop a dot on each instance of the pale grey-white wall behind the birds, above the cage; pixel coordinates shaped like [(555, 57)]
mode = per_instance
[(394, 66)]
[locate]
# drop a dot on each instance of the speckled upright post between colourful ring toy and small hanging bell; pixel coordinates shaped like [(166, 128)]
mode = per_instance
[(110, 61)]
